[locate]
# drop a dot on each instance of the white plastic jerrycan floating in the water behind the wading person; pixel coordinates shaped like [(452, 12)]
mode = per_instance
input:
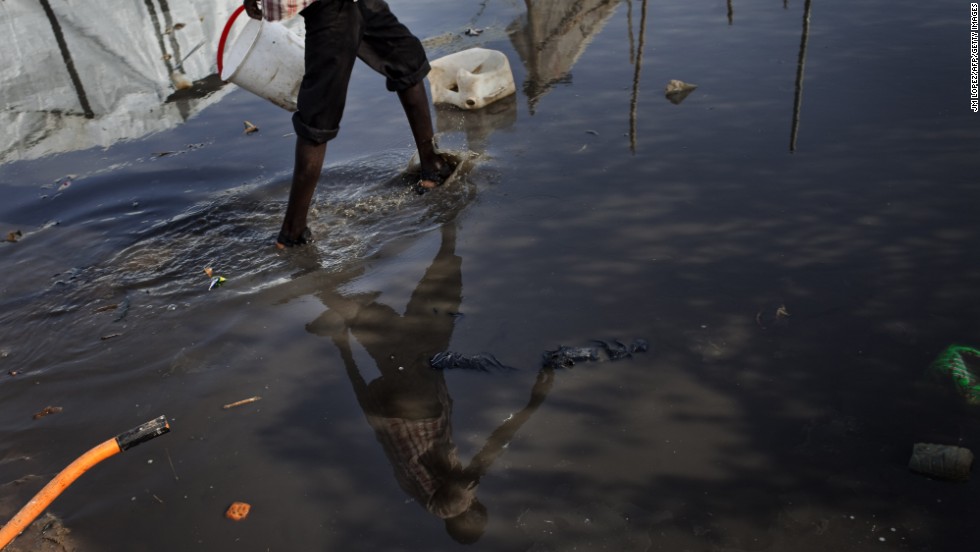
[(471, 79)]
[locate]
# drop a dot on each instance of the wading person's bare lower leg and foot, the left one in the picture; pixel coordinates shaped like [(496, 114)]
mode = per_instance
[(306, 173)]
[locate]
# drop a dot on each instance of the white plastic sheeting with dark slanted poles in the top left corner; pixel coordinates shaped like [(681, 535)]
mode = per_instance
[(77, 74)]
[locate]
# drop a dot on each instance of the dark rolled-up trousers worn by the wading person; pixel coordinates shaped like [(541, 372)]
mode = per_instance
[(338, 32)]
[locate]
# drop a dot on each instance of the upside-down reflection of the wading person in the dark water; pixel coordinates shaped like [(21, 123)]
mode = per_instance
[(409, 406)]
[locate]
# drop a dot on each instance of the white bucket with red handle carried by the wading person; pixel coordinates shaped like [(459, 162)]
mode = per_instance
[(266, 59)]
